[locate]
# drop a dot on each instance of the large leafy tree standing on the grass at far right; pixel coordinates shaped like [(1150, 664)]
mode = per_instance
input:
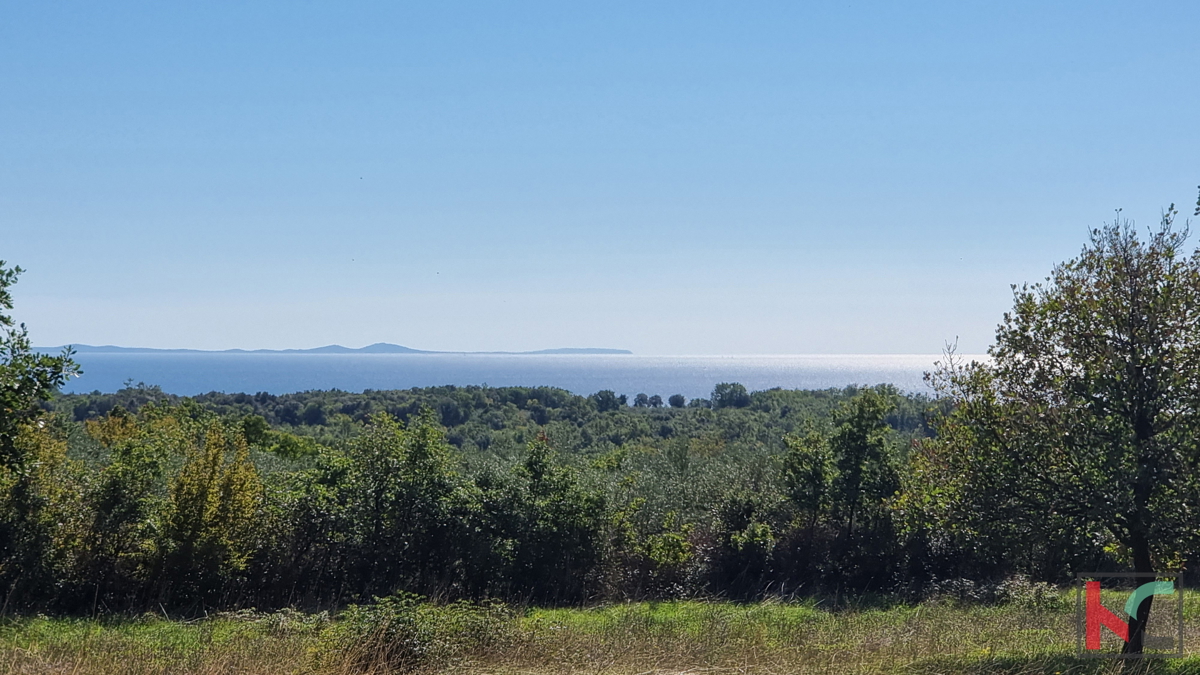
[(1088, 419)]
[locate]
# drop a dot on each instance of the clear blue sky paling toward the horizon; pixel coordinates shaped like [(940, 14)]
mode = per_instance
[(673, 178)]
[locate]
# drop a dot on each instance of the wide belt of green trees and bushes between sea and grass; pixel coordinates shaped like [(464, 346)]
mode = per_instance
[(140, 500)]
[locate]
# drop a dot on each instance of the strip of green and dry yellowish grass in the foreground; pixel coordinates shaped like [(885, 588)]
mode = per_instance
[(634, 640)]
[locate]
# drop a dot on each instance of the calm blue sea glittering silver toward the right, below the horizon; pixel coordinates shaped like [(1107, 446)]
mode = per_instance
[(691, 377)]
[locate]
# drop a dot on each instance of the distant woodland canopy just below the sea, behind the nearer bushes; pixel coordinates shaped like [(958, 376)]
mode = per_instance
[(485, 421)]
